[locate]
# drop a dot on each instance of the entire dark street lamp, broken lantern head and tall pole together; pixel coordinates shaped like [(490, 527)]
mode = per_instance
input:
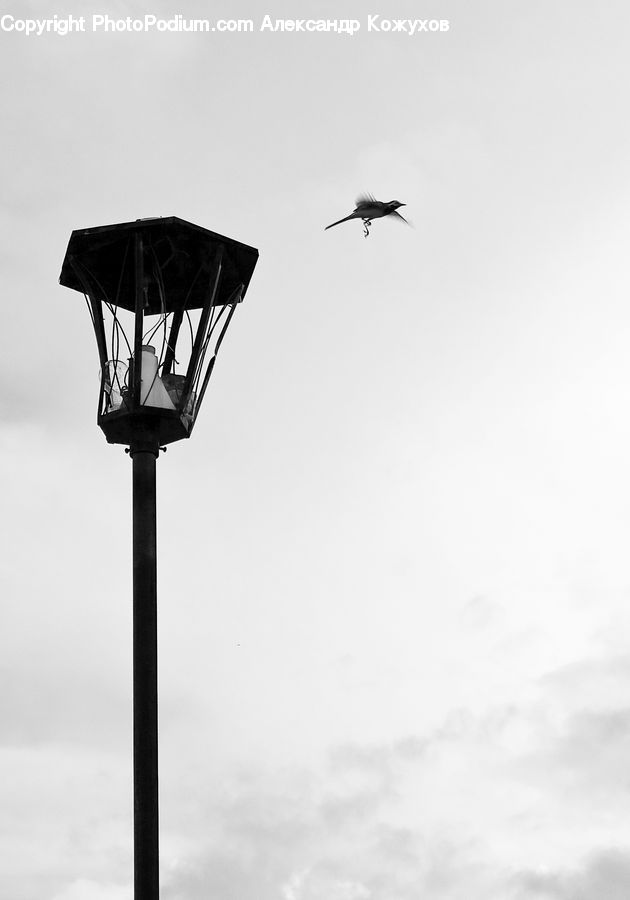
[(161, 294)]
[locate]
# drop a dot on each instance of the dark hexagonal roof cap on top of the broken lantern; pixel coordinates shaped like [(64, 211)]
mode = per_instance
[(179, 261)]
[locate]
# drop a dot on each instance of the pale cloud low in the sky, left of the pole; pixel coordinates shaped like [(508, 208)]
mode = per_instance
[(65, 814)]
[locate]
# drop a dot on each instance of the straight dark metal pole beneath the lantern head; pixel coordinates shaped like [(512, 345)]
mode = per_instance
[(145, 711)]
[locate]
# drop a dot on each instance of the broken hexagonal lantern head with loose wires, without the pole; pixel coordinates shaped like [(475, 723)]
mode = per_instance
[(161, 294)]
